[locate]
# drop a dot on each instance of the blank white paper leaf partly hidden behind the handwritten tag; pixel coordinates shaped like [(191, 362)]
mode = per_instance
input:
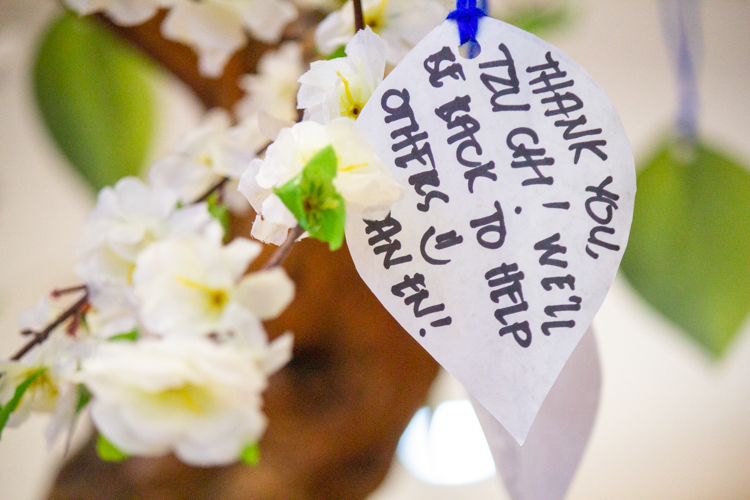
[(543, 468)]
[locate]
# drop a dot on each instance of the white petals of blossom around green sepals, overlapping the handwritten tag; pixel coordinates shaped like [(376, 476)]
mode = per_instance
[(362, 179)]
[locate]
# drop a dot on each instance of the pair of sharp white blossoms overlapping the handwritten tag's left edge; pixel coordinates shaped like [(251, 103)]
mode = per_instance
[(332, 94)]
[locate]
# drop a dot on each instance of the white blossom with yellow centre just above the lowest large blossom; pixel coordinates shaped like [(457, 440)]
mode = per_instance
[(193, 286)]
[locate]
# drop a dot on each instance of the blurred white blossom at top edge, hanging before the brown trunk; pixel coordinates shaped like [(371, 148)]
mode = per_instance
[(216, 28)]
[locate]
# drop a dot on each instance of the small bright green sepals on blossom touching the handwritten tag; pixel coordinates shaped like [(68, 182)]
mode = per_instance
[(312, 198)]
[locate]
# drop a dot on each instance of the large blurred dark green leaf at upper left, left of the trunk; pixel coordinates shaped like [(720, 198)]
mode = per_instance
[(96, 99)]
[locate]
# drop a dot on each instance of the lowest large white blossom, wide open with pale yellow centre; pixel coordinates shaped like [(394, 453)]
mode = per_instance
[(197, 398)]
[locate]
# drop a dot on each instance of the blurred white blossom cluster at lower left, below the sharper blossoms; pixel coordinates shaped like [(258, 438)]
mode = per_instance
[(170, 345)]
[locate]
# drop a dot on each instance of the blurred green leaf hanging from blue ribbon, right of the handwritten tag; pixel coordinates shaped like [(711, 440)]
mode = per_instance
[(689, 249)]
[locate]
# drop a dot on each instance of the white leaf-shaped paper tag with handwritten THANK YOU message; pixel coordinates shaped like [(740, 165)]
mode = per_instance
[(520, 186)]
